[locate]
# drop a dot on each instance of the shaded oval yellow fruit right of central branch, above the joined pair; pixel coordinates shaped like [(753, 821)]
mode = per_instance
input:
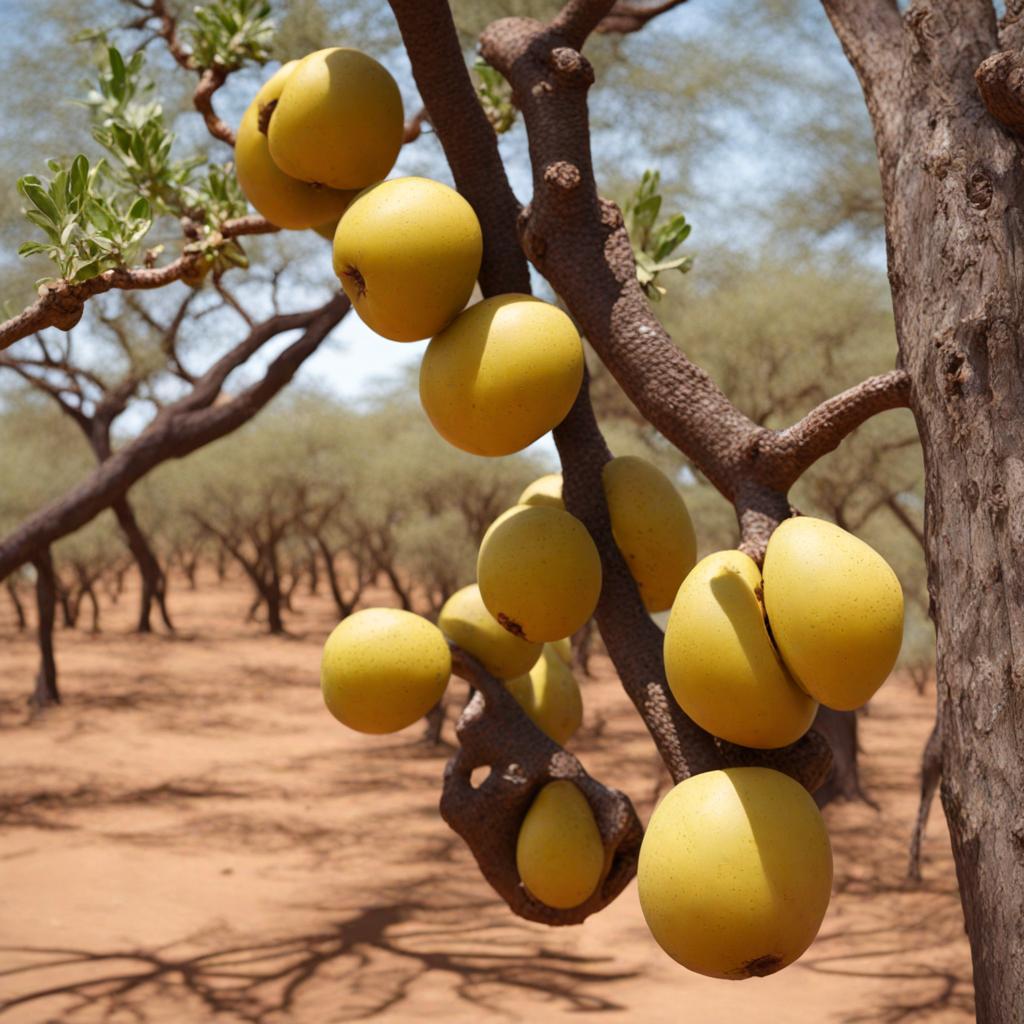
[(652, 528)]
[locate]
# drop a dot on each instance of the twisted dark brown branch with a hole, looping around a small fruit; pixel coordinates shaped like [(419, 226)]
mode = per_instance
[(495, 732)]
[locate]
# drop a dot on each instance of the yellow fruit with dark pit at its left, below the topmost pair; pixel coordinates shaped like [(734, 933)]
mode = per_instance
[(408, 252)]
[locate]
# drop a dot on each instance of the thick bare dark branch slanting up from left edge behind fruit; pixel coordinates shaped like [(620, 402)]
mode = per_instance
[(178, 430)]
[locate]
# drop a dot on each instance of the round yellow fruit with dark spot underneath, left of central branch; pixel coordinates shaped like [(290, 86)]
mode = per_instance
[(539, 572)]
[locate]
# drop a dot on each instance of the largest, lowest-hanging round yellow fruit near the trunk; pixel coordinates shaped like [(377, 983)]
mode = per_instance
[(736, 873)]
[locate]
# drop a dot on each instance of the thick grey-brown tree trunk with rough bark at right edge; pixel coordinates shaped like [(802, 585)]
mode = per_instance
[(955, 194)]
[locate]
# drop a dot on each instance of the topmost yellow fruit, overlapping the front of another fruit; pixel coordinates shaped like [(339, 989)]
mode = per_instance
[(338, 122)]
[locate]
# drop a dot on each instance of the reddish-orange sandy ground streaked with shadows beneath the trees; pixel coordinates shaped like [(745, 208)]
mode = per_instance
[(193, 838)]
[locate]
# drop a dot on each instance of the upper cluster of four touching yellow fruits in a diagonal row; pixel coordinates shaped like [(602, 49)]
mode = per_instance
[(312, 152)]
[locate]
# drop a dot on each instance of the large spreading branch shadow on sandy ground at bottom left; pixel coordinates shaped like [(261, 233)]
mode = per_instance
[(371, 961)]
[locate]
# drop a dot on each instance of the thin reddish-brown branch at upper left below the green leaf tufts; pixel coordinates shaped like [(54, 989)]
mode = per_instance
[(61, 304)]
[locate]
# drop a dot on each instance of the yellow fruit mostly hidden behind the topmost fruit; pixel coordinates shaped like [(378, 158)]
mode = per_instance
[(285, 201)]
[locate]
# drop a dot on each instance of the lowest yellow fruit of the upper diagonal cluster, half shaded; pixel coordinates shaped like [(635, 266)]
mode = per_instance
[(502, 375)]
